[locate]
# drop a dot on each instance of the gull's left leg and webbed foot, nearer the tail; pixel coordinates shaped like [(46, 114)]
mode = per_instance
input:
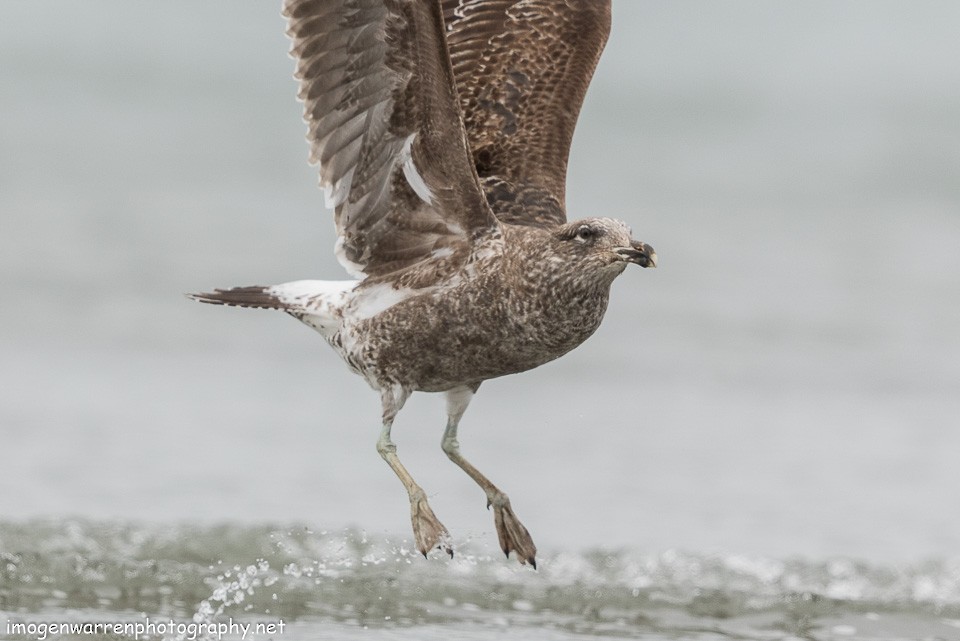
[(428, 532)]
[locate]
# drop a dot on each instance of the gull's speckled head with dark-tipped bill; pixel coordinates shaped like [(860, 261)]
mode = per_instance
[(603, 245)]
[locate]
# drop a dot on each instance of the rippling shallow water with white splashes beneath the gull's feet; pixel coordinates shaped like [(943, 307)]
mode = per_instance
[(349, 585)]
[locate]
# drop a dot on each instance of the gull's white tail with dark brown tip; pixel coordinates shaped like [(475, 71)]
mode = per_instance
[(318, 303)]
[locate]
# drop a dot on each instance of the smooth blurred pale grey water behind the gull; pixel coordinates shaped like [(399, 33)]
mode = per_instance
[(786, 384)]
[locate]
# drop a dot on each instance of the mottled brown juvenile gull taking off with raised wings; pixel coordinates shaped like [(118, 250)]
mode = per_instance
[(442, 129)]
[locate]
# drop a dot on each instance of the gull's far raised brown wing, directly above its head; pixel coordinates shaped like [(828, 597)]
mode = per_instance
[(522, 69)]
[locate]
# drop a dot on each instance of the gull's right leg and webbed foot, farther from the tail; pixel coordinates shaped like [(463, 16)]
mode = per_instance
[(513, 536)]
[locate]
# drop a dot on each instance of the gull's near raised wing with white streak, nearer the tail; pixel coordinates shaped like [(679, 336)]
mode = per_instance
[(386, 130)]
